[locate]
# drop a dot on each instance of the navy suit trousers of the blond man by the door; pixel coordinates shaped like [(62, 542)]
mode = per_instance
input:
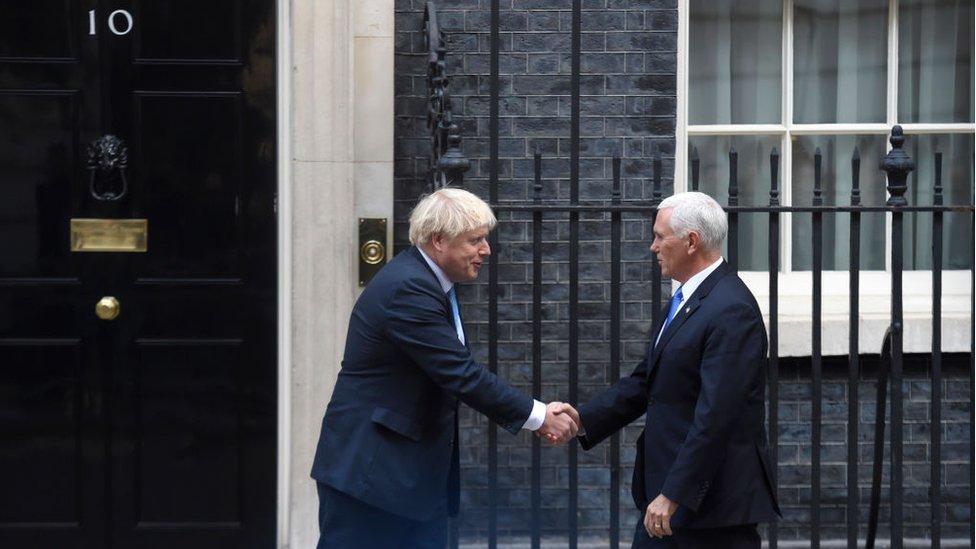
[(347, 523)]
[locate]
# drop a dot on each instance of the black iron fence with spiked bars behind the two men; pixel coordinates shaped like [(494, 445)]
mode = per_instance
[(448, 166)]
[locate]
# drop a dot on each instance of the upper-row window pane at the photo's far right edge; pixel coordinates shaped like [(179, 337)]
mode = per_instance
[(935, 61)]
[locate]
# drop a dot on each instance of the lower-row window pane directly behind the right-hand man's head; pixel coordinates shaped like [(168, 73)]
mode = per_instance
[(753, 177)]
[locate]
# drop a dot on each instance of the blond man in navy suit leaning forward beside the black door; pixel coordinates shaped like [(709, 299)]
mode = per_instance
[(387, 465)]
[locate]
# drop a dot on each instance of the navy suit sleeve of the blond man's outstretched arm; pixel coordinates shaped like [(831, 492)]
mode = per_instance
[(416, 324)]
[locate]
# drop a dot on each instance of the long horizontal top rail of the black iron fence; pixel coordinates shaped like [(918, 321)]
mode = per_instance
[(643, 207)]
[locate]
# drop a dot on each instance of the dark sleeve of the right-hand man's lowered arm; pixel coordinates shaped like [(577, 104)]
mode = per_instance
[(730, 364)]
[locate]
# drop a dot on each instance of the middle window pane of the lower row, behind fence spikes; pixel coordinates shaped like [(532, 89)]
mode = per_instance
[(836, 184)]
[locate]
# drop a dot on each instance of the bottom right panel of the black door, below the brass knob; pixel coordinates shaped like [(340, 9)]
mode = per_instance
[(188, 415)]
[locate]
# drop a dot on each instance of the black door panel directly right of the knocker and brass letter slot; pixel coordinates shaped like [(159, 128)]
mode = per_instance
[(190, 145)]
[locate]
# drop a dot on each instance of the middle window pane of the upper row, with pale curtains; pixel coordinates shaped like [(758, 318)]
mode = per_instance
[(840, 51)]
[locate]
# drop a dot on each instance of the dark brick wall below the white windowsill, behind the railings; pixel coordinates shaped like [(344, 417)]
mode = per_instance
[(795, 457)]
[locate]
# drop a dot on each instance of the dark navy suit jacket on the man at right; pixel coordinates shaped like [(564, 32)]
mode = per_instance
[(702, 389)]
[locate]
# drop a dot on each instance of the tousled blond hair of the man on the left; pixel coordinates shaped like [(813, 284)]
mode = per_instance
[(450, 212)]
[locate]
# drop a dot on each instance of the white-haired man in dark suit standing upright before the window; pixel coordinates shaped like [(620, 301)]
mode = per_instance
[(701, 478)]
